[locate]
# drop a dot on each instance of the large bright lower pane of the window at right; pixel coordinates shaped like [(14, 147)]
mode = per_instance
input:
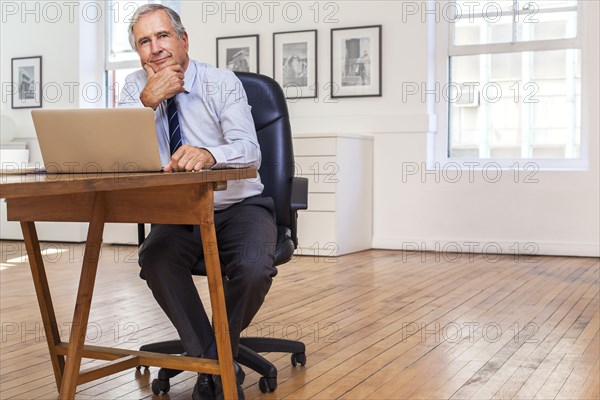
[(517, 105)]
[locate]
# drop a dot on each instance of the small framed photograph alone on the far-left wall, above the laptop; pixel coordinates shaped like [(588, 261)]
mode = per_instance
[(26, 82)]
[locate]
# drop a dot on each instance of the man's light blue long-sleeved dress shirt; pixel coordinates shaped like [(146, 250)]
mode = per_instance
[(213, 114)]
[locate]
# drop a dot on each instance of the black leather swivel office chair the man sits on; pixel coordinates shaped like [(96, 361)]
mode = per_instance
[(271, 119)]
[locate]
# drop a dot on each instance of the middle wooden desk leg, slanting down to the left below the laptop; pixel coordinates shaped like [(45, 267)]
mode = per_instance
[(84, 300)]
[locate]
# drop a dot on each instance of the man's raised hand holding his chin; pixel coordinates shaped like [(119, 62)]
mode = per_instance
[(162, 85)]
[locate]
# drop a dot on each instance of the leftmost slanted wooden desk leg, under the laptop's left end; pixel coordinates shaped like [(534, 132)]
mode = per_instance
[(42, 291)]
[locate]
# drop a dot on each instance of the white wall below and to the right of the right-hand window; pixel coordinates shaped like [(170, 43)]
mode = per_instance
[(545, 213)]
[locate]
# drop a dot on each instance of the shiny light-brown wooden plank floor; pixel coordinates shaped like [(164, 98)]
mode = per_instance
[(377, 325)]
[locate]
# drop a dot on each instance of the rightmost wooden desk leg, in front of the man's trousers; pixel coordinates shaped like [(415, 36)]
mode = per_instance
[(217, 295)]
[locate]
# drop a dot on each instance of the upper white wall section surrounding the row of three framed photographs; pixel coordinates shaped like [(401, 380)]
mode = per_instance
[(204, 24)]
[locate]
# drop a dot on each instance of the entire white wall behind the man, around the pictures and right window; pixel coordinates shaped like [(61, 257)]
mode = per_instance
[(559, 214)]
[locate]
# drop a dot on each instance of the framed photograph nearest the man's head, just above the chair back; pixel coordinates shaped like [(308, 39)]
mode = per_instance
[(238, 53)]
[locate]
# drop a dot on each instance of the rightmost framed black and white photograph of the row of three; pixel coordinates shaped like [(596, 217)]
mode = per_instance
[(356, 62)]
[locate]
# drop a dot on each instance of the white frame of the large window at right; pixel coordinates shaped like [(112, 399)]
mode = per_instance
[(441, 39)]
